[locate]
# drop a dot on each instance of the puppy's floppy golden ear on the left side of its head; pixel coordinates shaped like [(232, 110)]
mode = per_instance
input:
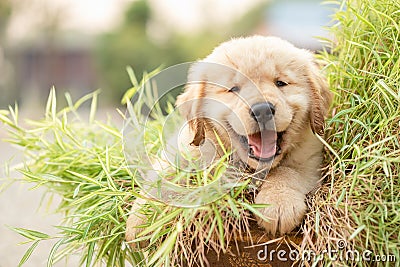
[(189, 105)]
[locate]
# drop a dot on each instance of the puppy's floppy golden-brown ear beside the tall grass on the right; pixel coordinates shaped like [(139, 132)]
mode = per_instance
[(321, 98)]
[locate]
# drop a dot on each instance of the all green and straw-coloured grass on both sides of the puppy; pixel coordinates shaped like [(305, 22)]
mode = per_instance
[(357, 208)]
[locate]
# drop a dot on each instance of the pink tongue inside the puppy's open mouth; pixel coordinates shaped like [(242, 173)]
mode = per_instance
[(263, 143)]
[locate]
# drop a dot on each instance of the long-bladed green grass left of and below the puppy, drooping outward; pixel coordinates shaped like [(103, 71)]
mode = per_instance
[(84, 163)]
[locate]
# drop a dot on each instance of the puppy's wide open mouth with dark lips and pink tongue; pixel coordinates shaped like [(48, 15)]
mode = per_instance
[(264, 145)]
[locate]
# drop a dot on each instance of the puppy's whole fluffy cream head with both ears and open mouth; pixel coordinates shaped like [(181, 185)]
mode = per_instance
[(258, 94)]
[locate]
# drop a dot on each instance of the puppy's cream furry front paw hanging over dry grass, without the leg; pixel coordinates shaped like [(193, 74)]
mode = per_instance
[(286, 211)]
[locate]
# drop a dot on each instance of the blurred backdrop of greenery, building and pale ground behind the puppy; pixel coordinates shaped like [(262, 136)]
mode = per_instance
[(79, 46)]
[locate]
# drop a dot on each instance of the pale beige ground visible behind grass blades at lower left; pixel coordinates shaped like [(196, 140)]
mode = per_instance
[(19, 207)]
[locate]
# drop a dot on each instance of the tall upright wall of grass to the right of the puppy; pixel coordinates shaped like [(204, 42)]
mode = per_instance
[(360, 201)]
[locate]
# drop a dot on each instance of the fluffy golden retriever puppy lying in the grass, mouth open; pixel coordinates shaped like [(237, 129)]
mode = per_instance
[(266, 100)]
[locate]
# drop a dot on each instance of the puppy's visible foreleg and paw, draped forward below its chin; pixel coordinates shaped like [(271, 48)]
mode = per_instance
[(285, 190)]
